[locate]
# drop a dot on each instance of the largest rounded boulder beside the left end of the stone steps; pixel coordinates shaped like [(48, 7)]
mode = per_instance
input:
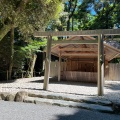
[(20, 96)]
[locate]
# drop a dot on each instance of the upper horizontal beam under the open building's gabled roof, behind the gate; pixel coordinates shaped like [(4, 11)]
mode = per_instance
[(78, 49)]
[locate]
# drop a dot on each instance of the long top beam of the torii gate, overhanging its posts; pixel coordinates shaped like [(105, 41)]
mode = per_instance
[(78, 33)]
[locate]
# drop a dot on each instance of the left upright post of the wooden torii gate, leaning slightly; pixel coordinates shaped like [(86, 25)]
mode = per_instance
[(47, 63)]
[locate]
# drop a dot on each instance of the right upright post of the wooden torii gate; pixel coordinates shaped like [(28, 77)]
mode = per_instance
[(100, 65)]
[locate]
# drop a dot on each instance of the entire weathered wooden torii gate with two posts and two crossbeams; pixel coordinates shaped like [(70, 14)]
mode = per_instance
[(98, 33)]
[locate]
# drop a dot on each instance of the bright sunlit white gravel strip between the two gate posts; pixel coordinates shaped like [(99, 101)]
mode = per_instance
[(83, 88)]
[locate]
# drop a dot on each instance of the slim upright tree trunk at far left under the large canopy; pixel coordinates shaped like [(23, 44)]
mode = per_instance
[(11, 50)]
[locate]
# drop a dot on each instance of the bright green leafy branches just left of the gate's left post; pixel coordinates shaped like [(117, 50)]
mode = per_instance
[(26, 51)]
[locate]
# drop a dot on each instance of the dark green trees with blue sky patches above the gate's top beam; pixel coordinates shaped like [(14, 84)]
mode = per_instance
[(106, 14)]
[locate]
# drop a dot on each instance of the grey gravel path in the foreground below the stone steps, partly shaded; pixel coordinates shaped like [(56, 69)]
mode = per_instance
[(22, 111)]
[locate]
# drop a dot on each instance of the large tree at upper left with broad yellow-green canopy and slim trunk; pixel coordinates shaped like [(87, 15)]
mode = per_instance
[(27, 15)]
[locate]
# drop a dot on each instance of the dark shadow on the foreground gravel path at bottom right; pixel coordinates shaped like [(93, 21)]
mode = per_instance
[(88, 115)]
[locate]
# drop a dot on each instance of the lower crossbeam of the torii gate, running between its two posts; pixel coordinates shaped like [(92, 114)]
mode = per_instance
[(75, 42)]
